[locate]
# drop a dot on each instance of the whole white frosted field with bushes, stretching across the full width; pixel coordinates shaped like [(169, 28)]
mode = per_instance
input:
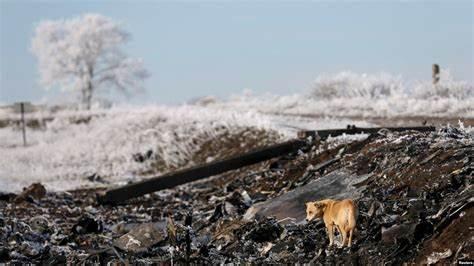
[(76, 144)]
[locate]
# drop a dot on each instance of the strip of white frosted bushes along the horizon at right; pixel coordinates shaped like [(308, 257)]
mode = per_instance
[(348, 94)]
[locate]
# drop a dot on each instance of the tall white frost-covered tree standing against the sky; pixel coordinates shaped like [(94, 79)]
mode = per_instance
[(83, 54)]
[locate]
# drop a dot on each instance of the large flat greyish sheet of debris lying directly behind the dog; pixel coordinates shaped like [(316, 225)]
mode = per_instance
[(336, 185)]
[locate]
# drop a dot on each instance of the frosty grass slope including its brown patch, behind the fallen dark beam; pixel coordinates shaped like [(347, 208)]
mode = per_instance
[(111, 143)]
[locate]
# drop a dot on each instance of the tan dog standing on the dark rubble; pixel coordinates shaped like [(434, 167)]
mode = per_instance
[(335, 214)]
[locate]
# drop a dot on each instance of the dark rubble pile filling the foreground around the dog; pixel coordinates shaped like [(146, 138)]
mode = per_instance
[(415, 205)]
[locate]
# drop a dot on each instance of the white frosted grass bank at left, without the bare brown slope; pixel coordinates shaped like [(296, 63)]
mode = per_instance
[(65, 153)]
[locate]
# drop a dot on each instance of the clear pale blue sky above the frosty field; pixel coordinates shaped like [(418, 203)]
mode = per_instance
[(199, 48)]
